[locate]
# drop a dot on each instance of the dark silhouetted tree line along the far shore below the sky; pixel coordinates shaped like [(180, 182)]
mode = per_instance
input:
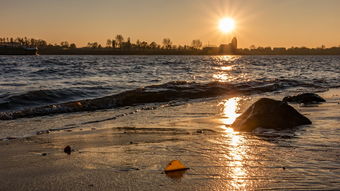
[(119, 45)]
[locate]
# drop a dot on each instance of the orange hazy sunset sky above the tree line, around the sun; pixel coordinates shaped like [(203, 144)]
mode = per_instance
[(275, 23)]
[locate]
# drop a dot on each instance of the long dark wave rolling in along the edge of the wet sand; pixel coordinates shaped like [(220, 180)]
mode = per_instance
[(171, 91)]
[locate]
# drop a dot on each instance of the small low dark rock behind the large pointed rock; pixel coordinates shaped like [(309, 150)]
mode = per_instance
[(305, 98)]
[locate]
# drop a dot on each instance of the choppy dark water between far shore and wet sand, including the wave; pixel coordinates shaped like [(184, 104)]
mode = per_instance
[(29, 83)]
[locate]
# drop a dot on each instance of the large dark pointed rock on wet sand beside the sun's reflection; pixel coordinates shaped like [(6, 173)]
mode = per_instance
[(269, 114)]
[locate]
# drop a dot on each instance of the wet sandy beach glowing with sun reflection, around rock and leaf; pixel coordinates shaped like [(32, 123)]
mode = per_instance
[(130, 153)]
